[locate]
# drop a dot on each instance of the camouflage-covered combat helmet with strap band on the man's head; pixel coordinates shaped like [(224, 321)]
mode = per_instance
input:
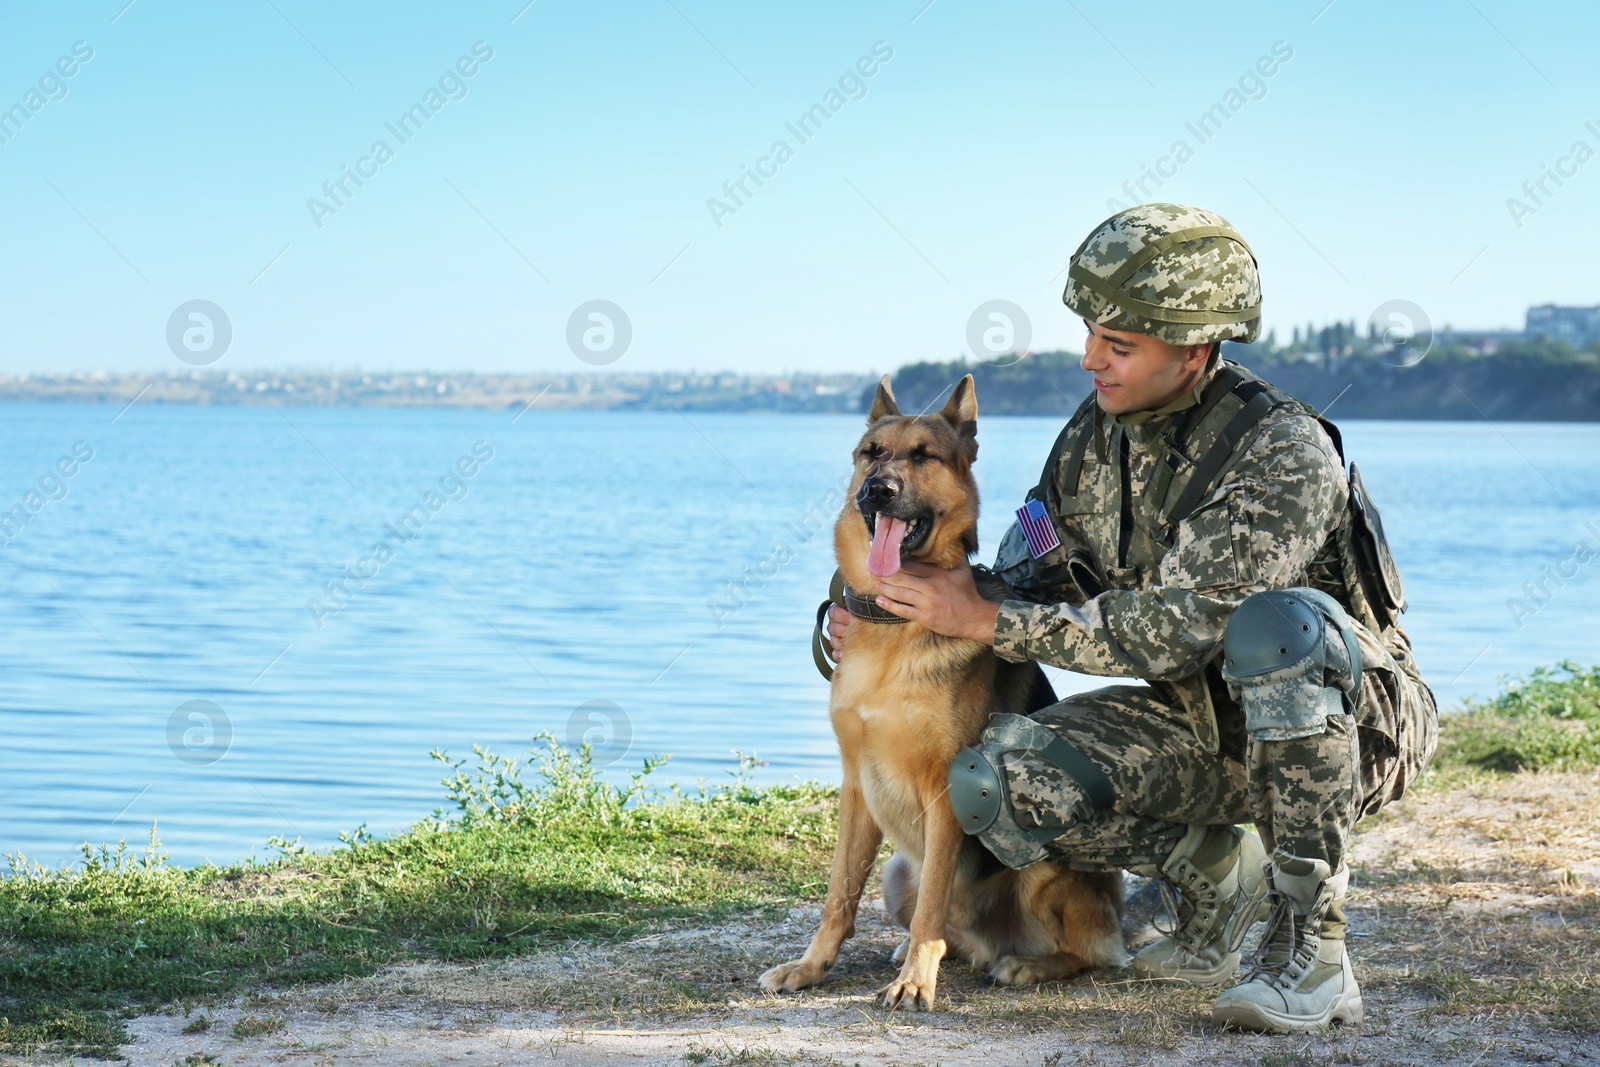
[(1169, 271)]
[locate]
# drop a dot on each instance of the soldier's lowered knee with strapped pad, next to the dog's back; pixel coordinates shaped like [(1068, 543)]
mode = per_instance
[(1023, 788)]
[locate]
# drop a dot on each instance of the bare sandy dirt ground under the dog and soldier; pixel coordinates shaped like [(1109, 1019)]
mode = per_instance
[(1476, 935)]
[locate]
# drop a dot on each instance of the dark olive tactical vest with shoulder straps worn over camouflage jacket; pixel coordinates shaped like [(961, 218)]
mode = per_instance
[(1199, 446)]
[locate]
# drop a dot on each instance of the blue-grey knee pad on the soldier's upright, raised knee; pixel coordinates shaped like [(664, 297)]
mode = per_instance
[(1290, 660)]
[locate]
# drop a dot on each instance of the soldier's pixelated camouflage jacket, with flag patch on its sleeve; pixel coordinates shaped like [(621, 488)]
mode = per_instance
[(1273, 522)]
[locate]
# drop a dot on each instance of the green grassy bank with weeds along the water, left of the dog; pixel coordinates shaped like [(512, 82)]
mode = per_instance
[(519, 865)]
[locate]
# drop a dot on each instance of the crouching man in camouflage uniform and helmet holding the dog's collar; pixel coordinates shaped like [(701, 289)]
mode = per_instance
[(1214, 554)]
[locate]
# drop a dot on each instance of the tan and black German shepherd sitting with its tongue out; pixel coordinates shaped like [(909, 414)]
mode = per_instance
[(903, 705)]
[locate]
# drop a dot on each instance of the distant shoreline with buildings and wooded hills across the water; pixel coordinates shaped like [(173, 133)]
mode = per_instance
[(1454, 385)]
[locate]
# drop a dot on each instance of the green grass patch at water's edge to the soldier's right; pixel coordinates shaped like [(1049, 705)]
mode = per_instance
[(1545, 722)]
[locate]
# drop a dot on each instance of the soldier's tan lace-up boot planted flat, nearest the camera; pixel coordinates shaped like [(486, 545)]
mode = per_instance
[(1302, 977)]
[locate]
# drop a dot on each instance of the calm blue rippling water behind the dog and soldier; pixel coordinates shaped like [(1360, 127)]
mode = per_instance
[(174, 653)]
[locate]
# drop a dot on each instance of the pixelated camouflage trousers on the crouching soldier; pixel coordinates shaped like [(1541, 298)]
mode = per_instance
[(1303, 796)]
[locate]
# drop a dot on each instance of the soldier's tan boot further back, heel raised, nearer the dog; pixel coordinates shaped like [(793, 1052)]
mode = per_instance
[(1220, 881)]
